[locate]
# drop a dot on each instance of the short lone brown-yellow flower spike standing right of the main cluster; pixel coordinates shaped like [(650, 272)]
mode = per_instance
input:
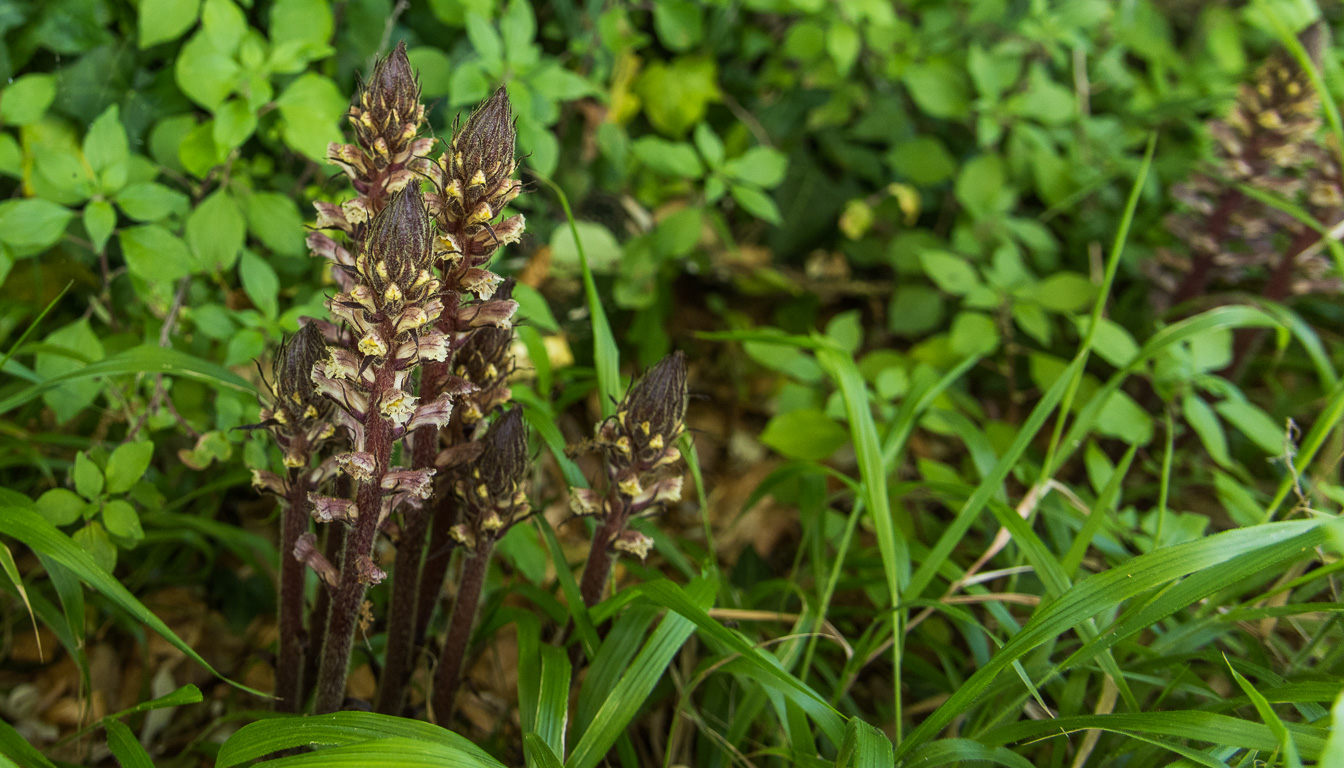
[(639, 445)]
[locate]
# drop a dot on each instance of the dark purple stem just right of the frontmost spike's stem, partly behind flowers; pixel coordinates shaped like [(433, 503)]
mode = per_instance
[(400, 660)]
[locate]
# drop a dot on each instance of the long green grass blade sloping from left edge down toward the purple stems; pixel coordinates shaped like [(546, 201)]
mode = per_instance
[(33, 531)]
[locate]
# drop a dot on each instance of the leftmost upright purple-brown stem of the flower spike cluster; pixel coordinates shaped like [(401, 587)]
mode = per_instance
[(290, 664)]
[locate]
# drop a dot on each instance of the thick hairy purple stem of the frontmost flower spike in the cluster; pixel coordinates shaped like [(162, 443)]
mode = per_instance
[(360, 548)]
